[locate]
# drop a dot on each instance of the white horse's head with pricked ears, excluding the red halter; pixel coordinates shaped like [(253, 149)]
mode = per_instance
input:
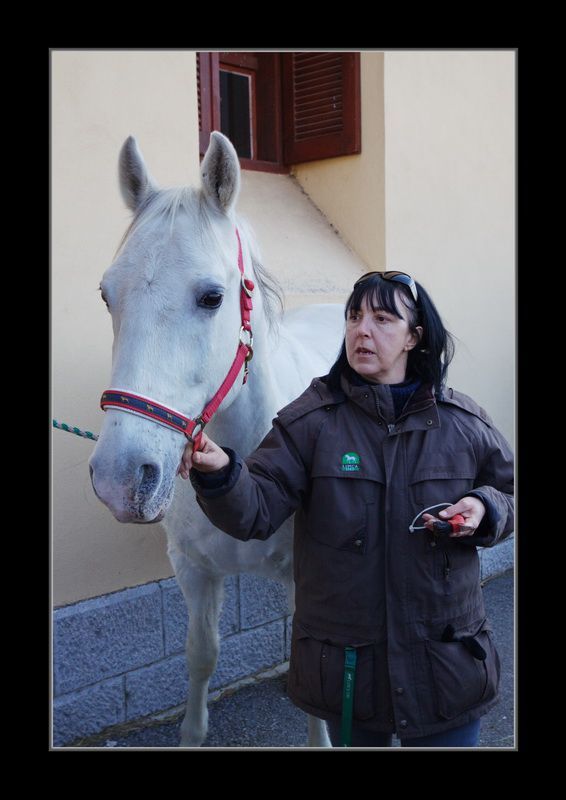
[(173, 292)]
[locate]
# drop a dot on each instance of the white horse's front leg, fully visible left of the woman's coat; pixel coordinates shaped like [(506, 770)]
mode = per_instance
[(203, 595)]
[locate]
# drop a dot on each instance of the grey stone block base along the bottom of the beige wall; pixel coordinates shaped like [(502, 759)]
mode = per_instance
[(121, 656)]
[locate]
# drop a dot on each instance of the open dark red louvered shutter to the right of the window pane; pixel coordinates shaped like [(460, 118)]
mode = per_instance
[(321, 106)]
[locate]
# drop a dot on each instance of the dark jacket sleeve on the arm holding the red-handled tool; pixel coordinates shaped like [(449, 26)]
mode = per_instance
[(494, 486)]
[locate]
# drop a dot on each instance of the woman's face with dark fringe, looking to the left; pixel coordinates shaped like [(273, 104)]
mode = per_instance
[(378, 342)]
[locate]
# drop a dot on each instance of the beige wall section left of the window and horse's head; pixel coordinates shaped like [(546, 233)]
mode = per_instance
[(98, 99)]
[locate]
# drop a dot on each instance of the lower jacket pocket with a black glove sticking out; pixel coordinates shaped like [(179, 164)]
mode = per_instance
[(465, 670)]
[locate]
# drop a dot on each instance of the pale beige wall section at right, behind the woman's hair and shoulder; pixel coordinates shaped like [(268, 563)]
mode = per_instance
[(450, 205)]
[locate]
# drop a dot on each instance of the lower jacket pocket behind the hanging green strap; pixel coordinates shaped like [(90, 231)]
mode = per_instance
[(316, 675)]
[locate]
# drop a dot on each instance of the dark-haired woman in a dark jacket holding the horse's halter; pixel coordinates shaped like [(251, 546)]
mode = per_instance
[(390, 633)]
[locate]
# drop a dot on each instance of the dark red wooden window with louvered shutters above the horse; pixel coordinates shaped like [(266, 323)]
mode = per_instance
[(281, 108)]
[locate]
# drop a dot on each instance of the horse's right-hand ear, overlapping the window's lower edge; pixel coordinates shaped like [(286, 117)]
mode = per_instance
[(220, 172)]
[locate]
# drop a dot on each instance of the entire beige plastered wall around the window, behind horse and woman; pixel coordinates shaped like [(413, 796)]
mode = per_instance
[(436, 172)]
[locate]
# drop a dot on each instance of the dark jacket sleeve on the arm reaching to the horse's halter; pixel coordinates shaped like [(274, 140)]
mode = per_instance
[(267, 489)]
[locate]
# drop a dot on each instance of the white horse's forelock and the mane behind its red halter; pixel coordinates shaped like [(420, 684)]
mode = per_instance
[(165, 204)]
